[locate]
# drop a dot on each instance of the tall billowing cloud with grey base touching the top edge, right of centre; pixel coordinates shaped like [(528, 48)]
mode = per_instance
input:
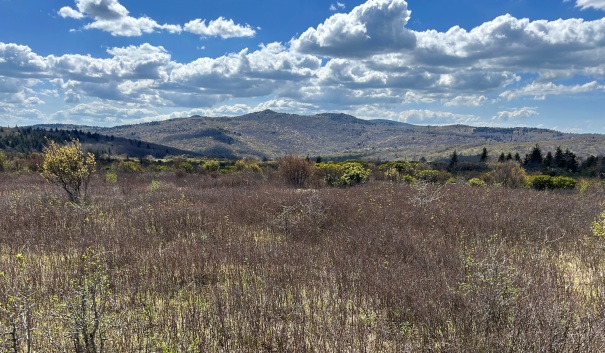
[(377, 26)]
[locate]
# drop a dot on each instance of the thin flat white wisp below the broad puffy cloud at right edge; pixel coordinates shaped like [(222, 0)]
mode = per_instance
[(540, 91)]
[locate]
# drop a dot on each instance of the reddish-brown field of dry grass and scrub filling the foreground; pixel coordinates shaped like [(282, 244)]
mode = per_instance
[(244, 263)]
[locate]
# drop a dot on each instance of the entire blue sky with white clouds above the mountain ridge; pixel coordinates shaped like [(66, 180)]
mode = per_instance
[(505, 63)]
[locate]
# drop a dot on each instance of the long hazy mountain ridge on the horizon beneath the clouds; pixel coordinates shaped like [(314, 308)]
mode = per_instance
[(270, 134)]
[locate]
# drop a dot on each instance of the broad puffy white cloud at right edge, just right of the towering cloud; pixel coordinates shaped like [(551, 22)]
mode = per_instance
[(515, 44)]
